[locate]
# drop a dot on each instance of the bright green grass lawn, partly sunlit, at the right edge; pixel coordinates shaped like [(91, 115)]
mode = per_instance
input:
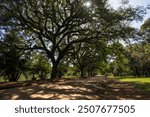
[(140, 83)]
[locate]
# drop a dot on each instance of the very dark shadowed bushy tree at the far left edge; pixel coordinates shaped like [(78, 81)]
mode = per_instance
[(12, 60)]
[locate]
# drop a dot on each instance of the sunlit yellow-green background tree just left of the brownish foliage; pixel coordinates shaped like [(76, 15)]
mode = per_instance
[(117, 59)]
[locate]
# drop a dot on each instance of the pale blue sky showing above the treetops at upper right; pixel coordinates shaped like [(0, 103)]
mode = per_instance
[(134, 3)]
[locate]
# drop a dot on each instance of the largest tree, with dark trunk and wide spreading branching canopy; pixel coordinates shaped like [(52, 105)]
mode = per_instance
[(55, 26)]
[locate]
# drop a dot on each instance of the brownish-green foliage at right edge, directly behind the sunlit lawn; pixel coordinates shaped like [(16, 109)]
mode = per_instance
[(139, 59)]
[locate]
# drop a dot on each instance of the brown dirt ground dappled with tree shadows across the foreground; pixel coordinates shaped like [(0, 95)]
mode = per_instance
[(75, 89)]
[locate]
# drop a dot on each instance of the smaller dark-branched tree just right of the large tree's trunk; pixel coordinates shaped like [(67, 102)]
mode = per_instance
[(86, 57)]
